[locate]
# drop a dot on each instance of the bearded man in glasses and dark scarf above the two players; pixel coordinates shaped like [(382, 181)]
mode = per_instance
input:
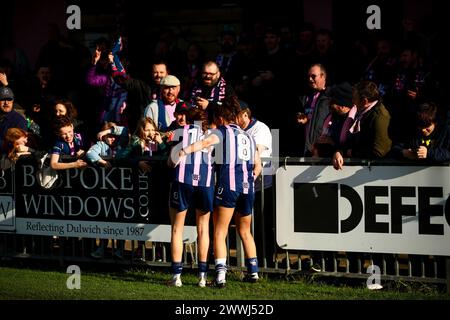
[(212, 91)]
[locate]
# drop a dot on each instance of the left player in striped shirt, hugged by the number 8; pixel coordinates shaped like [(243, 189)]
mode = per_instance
[(192, 186)]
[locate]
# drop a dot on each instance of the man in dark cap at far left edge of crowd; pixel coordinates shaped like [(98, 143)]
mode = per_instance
[(9, 118)]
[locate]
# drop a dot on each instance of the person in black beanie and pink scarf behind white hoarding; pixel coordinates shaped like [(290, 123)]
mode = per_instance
[(338, 122)]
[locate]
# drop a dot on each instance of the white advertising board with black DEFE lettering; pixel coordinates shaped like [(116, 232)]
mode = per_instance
[(384, 209)]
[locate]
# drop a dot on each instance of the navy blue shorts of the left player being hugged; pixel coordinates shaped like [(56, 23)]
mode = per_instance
[(182, 196)]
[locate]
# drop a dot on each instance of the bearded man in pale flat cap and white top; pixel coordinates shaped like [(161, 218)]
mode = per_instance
[(162, 110)]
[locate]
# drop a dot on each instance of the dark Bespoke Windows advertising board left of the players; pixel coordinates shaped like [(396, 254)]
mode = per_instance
[(95, 202)]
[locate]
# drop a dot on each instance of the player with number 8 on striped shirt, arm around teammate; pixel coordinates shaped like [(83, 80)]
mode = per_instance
[(237, 165)]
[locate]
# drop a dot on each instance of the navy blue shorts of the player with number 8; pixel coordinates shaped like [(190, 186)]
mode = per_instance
[(243, 203)]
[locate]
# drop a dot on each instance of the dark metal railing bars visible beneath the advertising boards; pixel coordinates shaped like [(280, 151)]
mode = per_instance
[(430, 269)]
